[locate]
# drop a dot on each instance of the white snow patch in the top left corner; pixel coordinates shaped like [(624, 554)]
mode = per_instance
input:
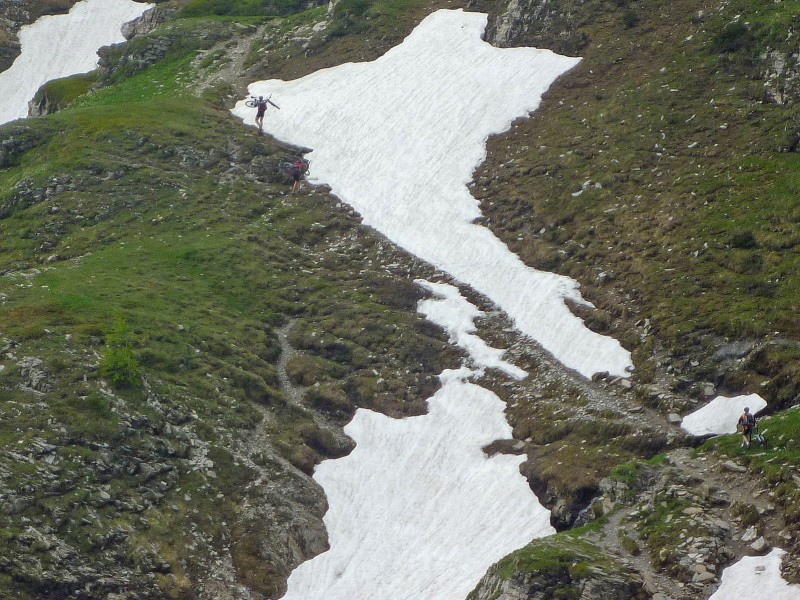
[(57, 46)]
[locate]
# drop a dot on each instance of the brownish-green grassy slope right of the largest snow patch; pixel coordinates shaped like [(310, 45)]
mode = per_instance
[(661, 174)]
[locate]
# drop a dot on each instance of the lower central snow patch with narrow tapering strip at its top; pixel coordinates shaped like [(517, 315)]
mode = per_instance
[(418, 510)]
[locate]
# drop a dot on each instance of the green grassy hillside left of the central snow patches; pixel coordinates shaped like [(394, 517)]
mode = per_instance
[(148, 252)]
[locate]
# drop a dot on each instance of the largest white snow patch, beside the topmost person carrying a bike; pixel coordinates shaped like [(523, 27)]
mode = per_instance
[(399, 138)]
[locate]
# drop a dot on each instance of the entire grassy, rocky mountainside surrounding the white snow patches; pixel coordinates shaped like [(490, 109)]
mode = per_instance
[(182, 341)]
